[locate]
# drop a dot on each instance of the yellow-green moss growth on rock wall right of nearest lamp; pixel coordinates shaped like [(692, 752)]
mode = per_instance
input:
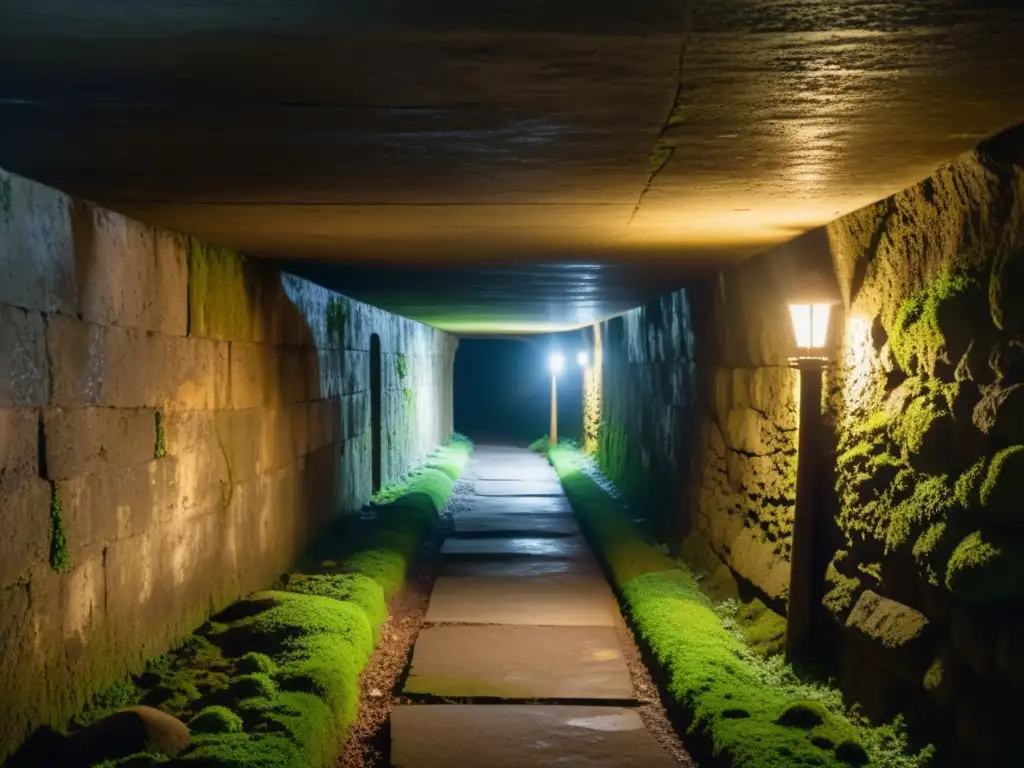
[(901, 478)]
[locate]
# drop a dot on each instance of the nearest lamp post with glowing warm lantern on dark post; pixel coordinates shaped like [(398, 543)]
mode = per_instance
[(810, 327)]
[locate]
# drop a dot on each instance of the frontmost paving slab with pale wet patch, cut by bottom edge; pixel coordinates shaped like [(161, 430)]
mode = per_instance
[(517, 737)]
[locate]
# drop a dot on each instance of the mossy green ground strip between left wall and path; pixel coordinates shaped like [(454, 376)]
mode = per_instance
[(273, 681)]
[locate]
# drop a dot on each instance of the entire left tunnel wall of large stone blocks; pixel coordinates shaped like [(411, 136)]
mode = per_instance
[(177, 422)]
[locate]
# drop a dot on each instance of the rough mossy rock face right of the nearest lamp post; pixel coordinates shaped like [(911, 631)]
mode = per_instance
[(928, 410)]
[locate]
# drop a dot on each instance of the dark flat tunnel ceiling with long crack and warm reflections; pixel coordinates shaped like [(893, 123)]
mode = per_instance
[(500, 165)]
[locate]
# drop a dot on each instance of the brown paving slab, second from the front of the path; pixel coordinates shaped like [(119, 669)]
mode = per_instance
[(580, 663)]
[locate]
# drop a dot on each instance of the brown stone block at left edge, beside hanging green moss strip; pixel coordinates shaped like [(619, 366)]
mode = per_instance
[(25, 519)]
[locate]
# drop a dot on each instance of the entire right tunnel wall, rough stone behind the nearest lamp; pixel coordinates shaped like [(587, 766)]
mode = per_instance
[(922, 585)]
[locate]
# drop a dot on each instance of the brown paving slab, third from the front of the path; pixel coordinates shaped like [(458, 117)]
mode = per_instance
[(565, 602)]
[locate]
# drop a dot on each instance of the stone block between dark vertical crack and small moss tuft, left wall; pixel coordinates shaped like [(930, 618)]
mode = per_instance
[(87, 441)]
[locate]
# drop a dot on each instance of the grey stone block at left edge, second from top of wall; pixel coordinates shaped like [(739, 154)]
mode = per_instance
[(24, 368)]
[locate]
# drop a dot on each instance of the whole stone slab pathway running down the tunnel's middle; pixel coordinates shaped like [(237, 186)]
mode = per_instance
[(521, 615)]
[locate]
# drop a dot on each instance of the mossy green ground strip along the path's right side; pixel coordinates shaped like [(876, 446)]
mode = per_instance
[(747, 711)]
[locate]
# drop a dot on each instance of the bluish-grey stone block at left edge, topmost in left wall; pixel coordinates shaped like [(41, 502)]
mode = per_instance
[(37, 258)]
